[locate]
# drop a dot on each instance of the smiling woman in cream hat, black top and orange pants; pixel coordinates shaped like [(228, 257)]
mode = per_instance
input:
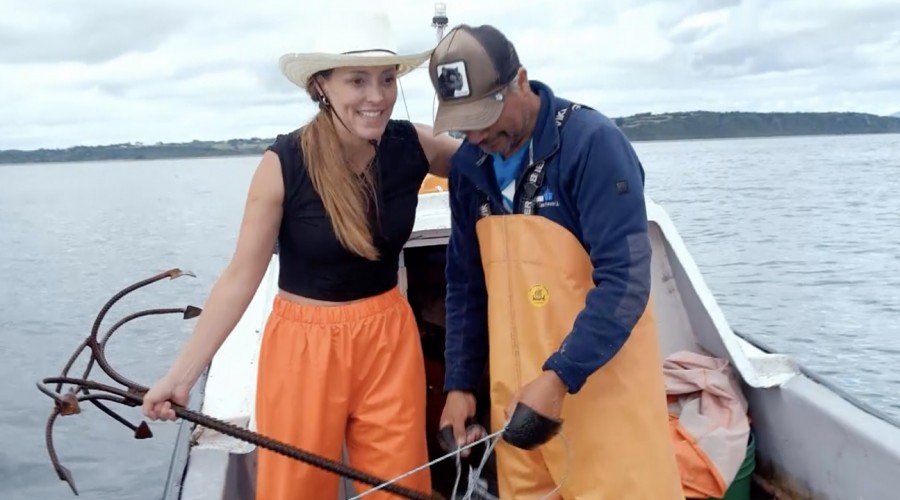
[(340, 357)]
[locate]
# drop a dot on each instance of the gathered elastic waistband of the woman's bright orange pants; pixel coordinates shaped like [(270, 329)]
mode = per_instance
[(344, 313)]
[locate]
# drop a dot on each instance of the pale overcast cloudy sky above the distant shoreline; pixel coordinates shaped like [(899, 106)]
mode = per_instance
[(110, 71)]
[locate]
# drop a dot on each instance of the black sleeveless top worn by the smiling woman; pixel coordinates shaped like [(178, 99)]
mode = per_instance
[(313, 263)]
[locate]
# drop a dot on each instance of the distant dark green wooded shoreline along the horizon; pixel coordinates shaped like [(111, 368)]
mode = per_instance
[(643, 127)]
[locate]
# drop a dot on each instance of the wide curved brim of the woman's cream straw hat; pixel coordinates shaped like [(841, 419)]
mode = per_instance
[(299, 68)]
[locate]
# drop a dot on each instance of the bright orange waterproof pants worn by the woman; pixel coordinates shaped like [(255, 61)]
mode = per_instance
[(333, 374)]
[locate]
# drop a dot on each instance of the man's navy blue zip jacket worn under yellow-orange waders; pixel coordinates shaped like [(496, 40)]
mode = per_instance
[(594, 184)]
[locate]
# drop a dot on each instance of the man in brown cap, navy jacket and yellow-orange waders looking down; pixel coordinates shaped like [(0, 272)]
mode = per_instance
[(548, 270)]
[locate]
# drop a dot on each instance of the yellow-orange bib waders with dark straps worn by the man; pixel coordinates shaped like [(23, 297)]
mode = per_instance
[(538, 275)]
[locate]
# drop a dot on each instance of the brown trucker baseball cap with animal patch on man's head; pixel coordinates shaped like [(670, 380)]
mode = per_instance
[(470, 69)]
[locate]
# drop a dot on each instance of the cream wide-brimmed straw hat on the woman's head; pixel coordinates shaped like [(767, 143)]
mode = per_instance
[(355, 39)]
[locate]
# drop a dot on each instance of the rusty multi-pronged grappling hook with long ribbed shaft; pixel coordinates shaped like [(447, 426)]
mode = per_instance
[(132, 395)]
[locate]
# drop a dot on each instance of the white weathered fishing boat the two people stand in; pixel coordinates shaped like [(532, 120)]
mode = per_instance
[(811, 440)]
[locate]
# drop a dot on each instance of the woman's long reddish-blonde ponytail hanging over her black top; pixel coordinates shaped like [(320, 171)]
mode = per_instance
[(345, 194)]
